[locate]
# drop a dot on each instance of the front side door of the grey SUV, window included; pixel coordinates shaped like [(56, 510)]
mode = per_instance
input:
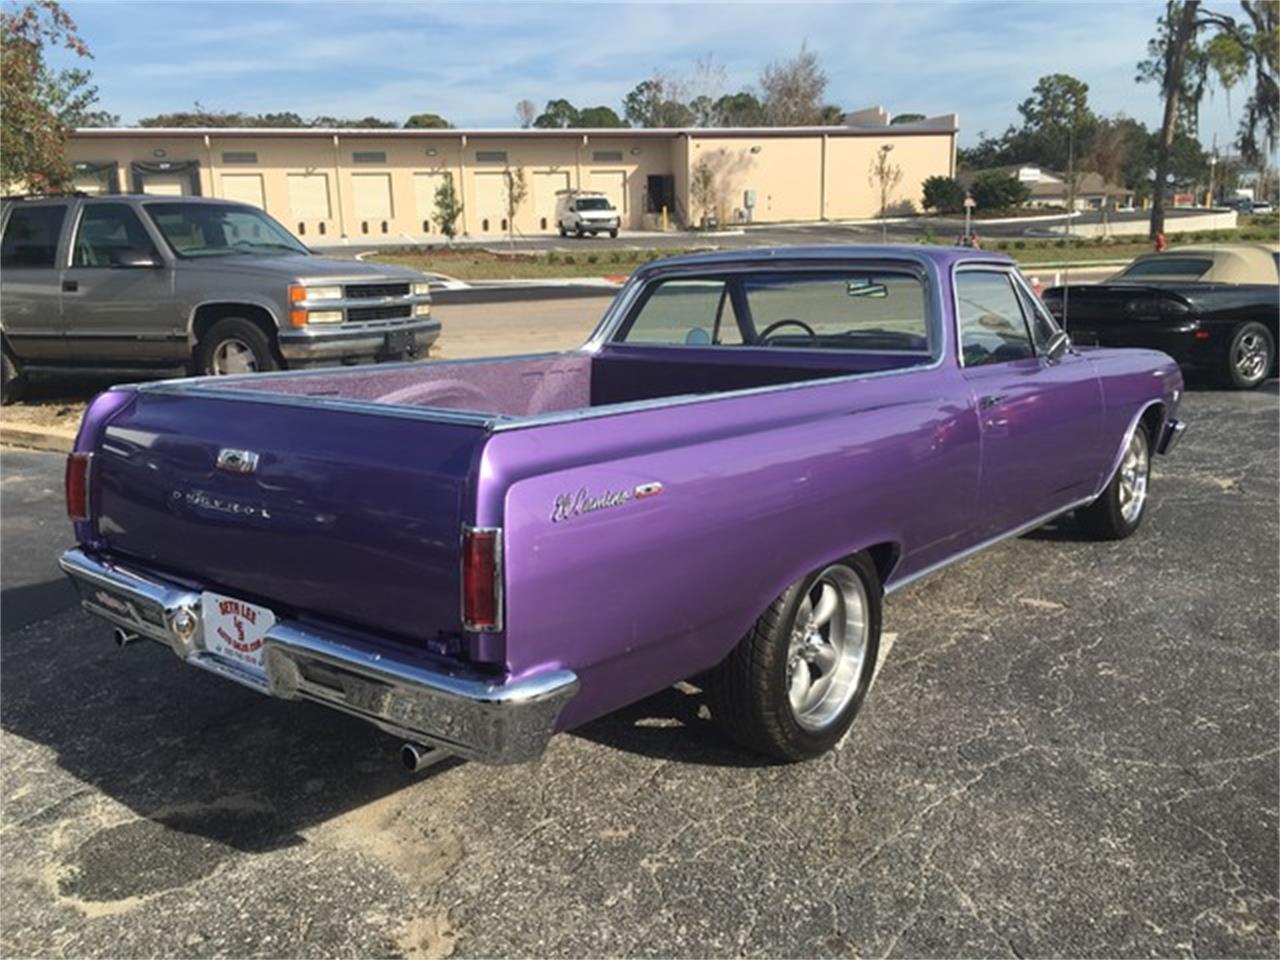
[(117, 313)]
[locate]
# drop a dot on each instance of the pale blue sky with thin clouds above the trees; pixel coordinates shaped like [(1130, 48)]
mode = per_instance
[(472, 62)]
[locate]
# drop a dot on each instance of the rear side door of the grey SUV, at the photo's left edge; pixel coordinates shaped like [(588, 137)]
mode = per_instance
[(30, 304)]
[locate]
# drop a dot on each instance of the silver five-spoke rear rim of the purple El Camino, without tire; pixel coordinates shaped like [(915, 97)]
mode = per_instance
[(829, 646)]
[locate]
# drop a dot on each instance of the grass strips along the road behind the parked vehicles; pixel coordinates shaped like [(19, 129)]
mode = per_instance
[(474, 264)]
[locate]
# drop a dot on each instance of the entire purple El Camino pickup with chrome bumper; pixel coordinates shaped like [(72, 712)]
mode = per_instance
[(749, 452)]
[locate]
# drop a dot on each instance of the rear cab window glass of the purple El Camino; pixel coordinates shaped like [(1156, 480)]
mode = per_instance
[(853, 310)]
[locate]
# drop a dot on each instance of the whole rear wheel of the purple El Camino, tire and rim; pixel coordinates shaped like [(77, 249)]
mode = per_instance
[(794, 684)]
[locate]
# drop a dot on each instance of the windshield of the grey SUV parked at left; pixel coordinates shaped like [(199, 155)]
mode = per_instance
[(221, 230)]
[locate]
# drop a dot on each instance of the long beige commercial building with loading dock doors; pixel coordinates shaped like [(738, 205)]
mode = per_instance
[(382, 185)]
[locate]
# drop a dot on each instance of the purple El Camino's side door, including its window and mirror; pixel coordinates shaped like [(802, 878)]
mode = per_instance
[(1040, 420)]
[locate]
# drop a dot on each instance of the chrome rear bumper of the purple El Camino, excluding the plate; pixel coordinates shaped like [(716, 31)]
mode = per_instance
[(481, 720)]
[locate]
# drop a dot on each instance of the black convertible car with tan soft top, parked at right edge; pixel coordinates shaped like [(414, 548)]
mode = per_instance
[(1214, 309)]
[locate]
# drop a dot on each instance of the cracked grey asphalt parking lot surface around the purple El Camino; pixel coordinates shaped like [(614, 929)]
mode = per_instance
[(1072, 749)]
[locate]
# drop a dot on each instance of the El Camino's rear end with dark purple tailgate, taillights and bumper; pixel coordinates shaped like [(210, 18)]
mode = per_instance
[(308, 550)]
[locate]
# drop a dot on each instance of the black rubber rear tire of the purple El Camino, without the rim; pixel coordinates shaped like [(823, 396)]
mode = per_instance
[(749, 692)]
